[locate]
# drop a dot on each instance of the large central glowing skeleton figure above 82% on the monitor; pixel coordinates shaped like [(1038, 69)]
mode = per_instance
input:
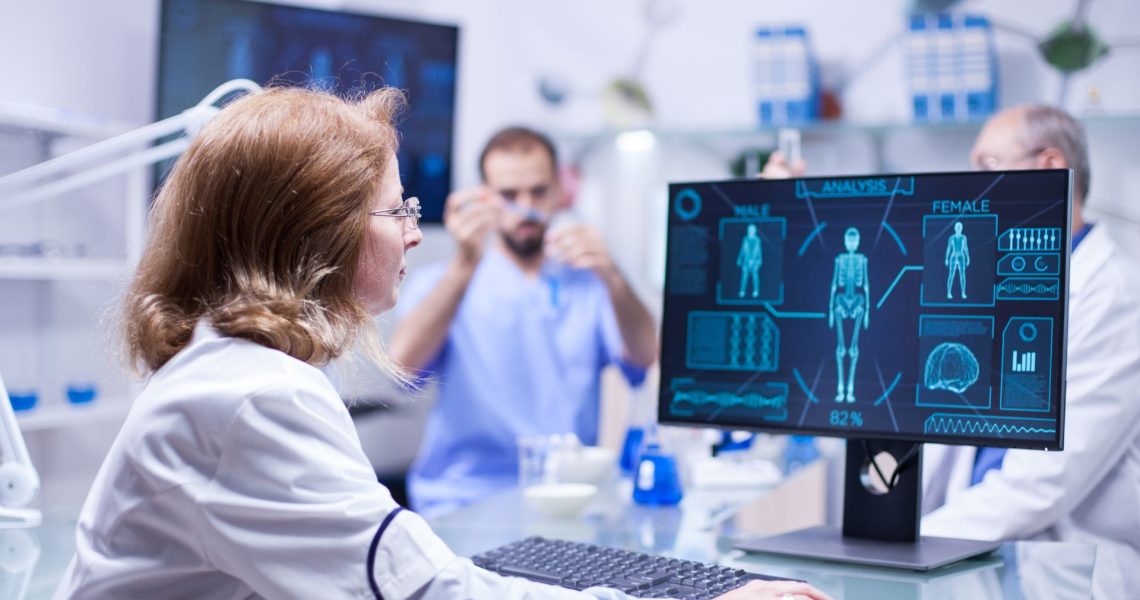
[(852, 303)]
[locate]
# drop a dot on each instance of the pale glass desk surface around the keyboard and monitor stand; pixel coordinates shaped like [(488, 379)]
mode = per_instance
[(702, 529)]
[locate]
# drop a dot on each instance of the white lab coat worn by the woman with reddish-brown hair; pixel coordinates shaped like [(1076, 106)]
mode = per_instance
[(239, 474)]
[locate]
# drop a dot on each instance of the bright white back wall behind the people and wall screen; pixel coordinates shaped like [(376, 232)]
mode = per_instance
[(97, 58)]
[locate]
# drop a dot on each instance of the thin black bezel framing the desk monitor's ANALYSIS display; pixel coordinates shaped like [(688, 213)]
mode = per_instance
[(1057, 444)]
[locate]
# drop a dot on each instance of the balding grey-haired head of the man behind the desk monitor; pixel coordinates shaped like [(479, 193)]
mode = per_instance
[(1035, 137)]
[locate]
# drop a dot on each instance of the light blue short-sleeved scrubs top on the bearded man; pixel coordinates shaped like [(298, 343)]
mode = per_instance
[(524, 356)]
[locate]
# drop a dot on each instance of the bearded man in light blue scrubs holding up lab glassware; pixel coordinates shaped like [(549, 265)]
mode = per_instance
[(517, 328)]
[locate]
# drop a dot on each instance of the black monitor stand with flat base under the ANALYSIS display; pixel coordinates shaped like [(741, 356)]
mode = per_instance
[(880, 530)]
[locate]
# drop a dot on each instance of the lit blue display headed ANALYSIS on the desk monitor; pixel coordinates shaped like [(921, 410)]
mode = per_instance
[(918, 307)]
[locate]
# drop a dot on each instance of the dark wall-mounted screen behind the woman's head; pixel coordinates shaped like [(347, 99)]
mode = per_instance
[(207, 43)]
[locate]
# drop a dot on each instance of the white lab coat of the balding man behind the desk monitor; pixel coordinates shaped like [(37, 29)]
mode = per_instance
[(1092, 491)]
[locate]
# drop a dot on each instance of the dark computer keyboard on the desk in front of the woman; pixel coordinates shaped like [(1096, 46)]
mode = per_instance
[(579, 566)]
